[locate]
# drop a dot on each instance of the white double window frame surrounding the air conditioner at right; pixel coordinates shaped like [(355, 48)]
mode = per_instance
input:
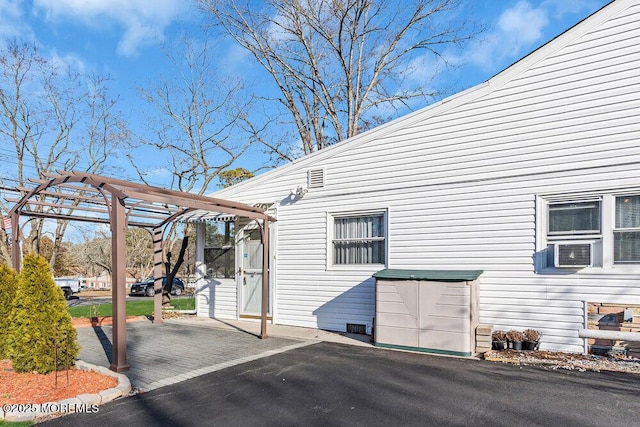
[(603, 242)]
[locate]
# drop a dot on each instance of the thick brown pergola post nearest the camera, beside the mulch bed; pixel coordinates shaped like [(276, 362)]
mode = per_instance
[(118, 285)]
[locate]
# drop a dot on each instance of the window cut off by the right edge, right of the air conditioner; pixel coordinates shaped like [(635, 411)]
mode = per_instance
[(626, 234)]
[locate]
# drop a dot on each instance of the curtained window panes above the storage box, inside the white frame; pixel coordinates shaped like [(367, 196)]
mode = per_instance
[(359, 239)]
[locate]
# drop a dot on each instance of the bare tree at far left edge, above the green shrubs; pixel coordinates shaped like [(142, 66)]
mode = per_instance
[(51, 117)]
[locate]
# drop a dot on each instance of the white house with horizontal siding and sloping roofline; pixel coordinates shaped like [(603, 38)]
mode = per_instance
[(532, 177)]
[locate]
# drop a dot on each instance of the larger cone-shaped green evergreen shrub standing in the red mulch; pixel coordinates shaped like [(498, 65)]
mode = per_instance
[(41, 336)]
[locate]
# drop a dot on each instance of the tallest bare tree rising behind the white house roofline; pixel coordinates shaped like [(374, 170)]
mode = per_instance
[(341, 65)]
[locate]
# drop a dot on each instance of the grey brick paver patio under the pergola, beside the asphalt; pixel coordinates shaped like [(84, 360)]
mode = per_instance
[(160, 355)]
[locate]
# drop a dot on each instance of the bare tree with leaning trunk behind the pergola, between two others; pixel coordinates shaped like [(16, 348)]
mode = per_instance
[(199, 127)]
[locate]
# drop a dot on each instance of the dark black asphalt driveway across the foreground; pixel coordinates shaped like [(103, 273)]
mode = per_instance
[(334, 384)]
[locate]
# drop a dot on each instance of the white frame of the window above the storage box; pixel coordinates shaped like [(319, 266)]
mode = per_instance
[(330, 262)]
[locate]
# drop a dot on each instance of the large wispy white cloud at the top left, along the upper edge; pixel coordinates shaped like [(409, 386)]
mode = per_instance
[(143, 21)]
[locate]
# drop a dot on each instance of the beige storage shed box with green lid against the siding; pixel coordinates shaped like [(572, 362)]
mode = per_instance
[(433, 311)]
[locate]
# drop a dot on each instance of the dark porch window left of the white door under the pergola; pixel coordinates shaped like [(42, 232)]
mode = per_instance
[(219, 250)]
